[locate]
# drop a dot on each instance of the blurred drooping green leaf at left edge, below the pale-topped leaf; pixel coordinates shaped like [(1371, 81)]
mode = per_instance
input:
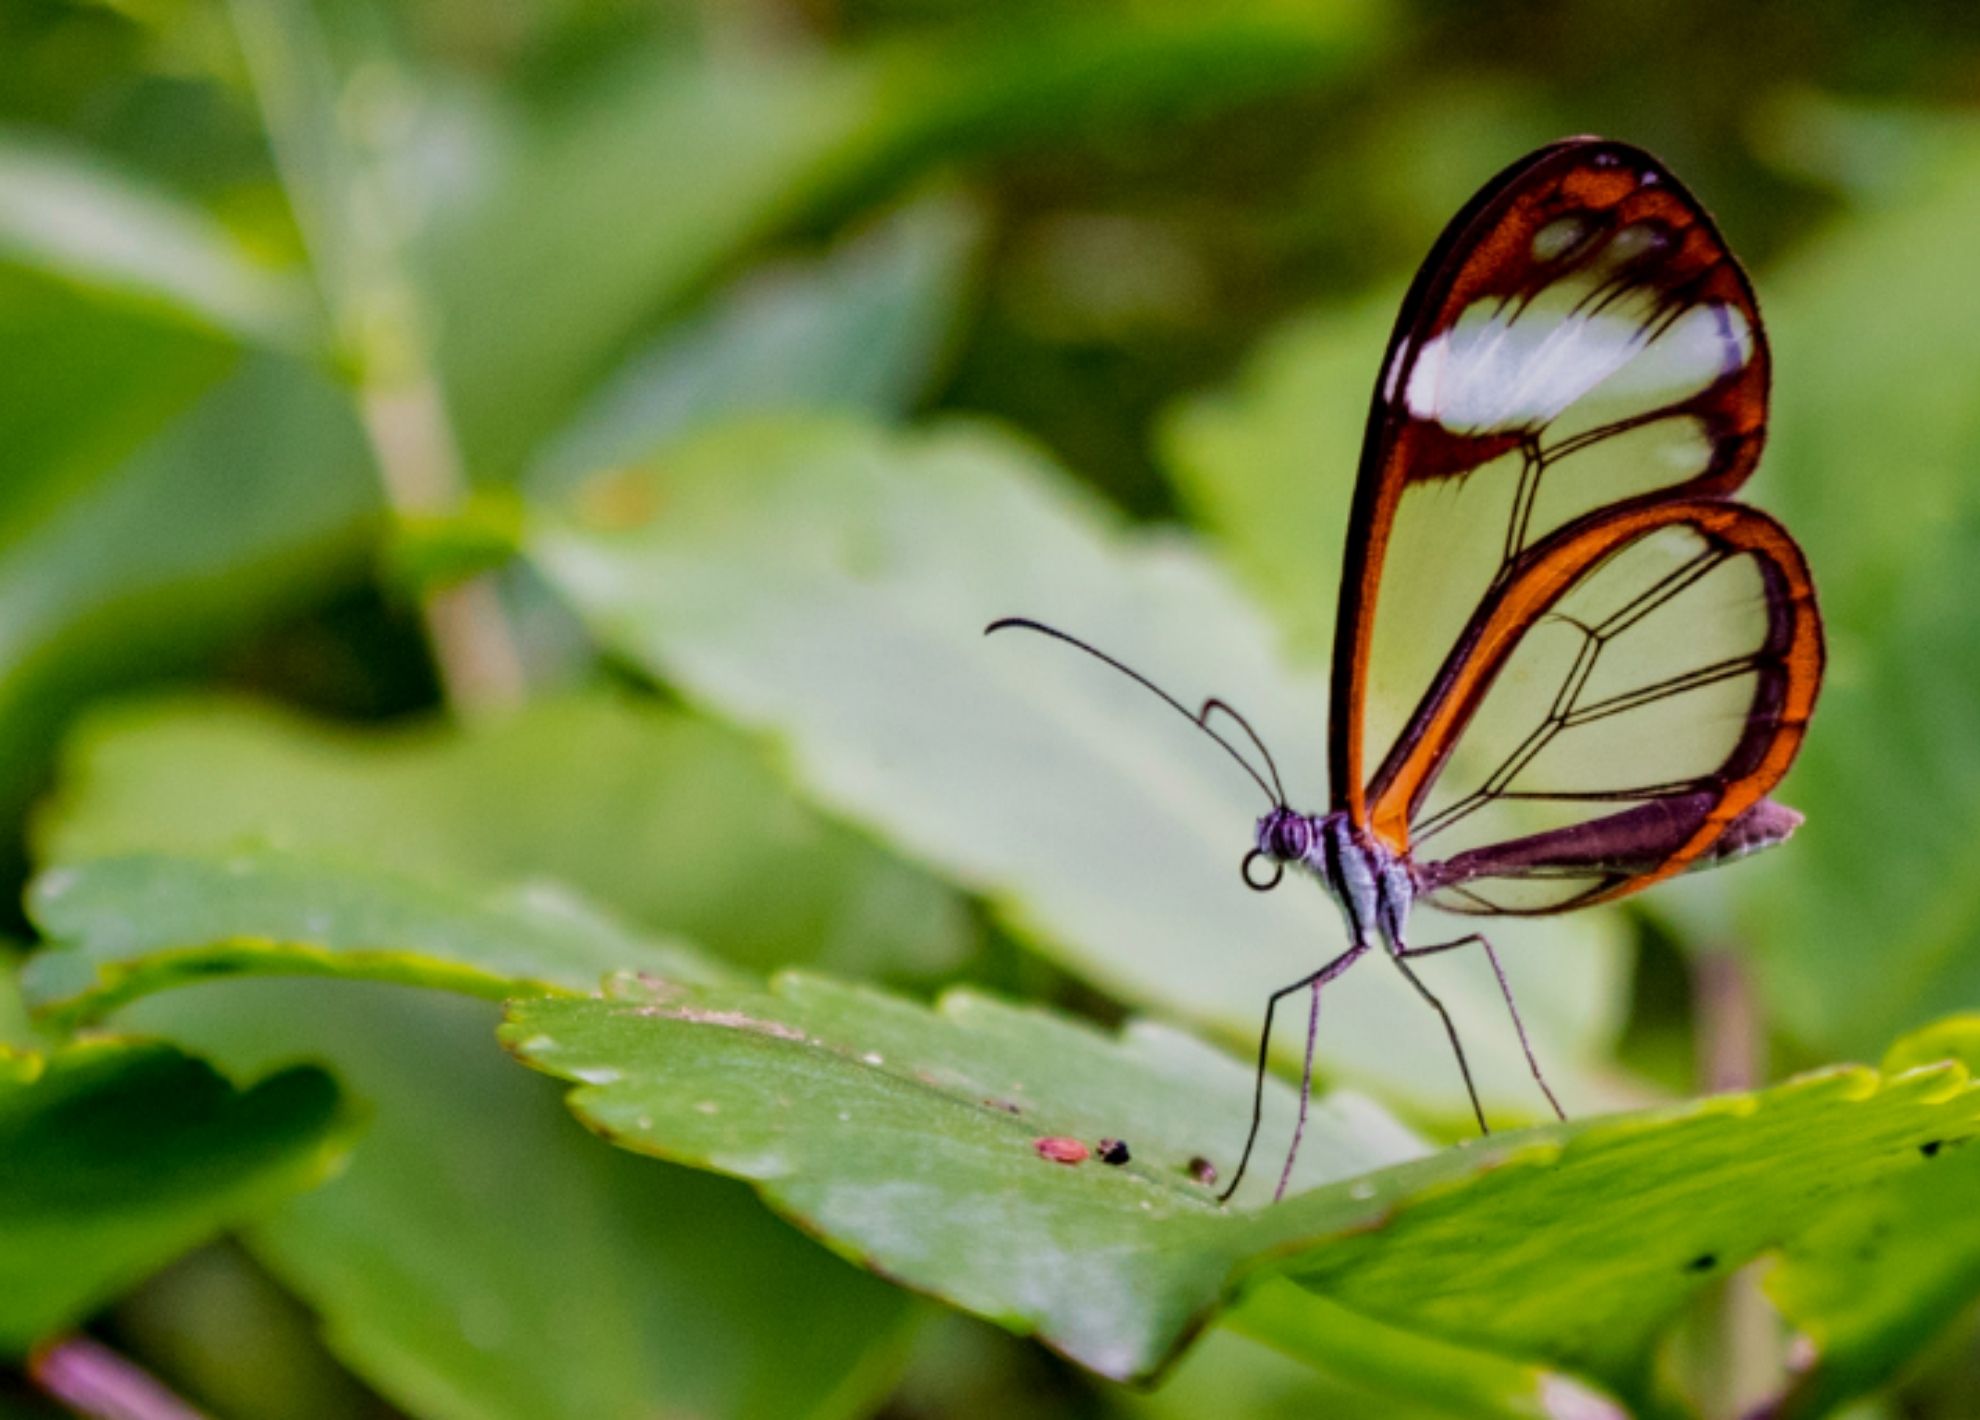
[(227, 520)]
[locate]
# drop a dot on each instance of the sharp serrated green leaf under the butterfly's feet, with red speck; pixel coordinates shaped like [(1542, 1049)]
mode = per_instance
[(886, 1130)]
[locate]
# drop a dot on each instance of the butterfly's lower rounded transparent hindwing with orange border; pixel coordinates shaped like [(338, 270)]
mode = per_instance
[(1623, 702)]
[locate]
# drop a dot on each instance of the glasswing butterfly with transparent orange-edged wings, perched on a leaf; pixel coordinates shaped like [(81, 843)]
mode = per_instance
[(1567, 664)]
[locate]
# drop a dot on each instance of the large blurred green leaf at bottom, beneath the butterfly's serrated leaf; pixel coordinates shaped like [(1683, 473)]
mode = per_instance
[(482, 1259)]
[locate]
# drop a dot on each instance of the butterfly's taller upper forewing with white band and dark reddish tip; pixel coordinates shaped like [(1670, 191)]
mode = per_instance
[(1579, 340)]
